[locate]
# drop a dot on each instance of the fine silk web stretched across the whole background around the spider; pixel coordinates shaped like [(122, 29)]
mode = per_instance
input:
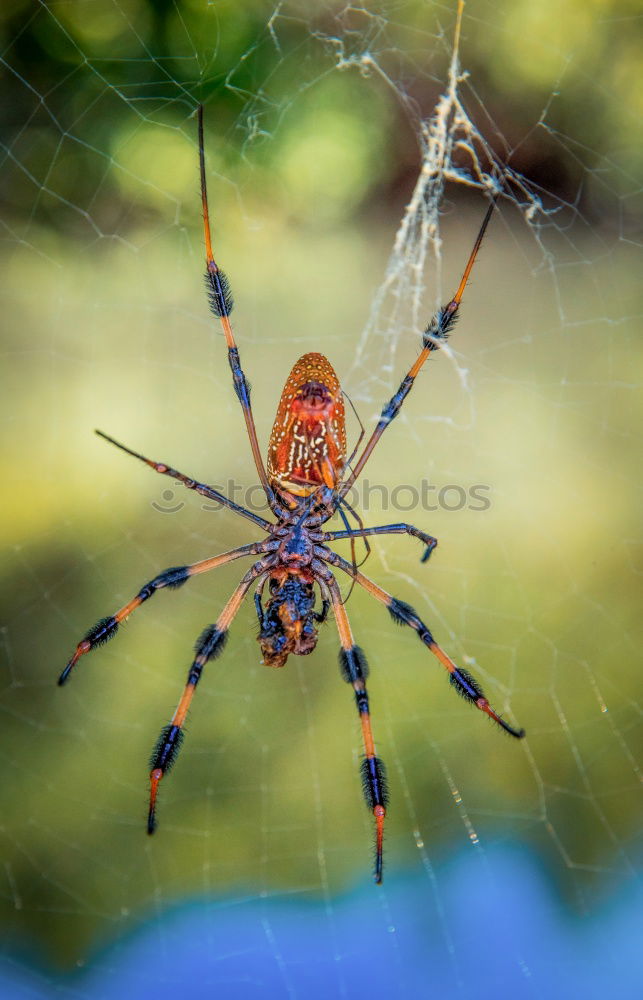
[(351, 151)]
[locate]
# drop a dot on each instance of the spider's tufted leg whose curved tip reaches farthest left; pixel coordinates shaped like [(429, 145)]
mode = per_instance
[(173, 578)]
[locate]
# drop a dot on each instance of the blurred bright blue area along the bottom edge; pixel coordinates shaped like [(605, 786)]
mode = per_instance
[(482, 926)]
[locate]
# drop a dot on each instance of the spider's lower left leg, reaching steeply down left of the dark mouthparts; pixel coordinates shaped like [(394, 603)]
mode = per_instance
[(209, 645)]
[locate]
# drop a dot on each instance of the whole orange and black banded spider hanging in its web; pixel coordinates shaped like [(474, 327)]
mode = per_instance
[(306, 479)]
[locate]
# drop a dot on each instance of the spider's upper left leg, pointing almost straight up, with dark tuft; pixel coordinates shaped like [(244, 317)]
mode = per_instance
[(221, 303)]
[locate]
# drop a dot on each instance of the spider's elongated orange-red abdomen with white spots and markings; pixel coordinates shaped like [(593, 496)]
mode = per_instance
[(307, 446)]
